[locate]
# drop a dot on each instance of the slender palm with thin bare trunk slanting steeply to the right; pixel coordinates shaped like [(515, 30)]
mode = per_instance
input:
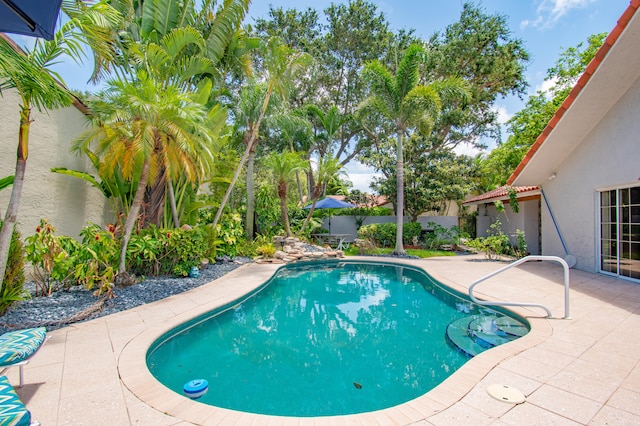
[(281, 65)]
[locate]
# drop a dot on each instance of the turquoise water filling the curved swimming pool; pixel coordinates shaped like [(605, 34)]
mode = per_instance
[(320, 339)]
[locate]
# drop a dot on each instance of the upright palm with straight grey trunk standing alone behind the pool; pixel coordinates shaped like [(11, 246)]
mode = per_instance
[(409, 106)]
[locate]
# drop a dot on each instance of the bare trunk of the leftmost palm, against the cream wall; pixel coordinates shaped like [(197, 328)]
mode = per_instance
[(11, 216)]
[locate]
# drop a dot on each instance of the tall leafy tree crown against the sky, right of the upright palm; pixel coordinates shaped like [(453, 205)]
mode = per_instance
[(480, 49)]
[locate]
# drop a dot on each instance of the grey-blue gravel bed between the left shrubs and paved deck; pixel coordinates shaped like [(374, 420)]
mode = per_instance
[(66, 307)]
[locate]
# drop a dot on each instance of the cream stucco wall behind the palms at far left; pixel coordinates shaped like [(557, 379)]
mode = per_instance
[(68, 203)]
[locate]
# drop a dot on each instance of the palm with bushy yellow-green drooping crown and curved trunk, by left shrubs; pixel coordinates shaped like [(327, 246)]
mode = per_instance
[(143, 125)]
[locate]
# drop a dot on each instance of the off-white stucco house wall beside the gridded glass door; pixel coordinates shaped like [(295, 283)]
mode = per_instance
[(608, 157)]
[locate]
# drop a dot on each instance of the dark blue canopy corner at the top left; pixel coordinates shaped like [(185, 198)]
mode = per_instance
[(36, 18)]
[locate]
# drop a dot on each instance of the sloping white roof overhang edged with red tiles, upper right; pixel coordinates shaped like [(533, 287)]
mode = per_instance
[(606, 79)]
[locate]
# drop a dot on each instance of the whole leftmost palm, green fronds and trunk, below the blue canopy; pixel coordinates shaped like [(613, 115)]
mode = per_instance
[(38, 86)]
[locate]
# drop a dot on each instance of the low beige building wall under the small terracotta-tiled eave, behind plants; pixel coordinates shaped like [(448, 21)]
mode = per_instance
[(526, 220)]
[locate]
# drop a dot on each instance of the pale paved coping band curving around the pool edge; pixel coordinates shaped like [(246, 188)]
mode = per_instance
[(135, 375)]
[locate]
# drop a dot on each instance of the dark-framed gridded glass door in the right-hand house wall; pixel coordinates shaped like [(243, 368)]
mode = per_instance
[(620, 232)]
